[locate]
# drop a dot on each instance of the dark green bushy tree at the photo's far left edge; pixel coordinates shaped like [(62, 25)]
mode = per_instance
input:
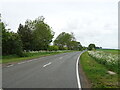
[(11, 43)]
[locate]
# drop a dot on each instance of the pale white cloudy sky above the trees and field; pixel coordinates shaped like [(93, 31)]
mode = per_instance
[(91, 21)]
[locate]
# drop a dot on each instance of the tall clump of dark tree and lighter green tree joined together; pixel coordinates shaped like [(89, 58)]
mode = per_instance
[(36, 34)]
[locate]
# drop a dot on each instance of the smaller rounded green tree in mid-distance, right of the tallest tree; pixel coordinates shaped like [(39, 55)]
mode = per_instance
[(66, 40)]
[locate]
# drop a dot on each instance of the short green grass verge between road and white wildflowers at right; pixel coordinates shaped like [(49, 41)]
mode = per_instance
[(97, 73)]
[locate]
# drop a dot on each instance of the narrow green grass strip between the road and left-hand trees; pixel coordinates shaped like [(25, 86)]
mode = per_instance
[(15, 58)]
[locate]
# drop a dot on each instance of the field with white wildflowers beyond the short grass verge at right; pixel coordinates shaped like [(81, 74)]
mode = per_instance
[(109, 58)]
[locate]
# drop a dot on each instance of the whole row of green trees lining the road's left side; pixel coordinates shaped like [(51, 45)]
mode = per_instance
[(36, 35)]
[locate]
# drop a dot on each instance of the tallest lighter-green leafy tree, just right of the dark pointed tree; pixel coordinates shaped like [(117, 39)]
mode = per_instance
[(42, 33)]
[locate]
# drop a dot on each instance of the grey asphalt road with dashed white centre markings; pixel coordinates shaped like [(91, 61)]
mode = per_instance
[(56, 71)]
